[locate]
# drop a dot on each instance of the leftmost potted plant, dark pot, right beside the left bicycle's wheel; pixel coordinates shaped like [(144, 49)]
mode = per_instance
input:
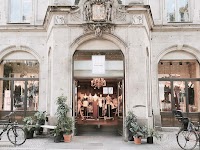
[(29, 126)]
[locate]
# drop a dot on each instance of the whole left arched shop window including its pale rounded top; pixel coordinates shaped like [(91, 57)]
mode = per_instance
[(19, 82)]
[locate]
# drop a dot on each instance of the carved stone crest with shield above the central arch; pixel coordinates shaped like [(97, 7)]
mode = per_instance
[(98, 15)]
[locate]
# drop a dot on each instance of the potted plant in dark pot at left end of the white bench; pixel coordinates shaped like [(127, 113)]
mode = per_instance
[(40, 120)]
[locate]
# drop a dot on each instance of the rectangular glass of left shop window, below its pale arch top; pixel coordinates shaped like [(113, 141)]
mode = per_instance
[(19, 86)]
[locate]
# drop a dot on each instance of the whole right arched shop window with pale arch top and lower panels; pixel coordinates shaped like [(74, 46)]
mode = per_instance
[(179, 85)]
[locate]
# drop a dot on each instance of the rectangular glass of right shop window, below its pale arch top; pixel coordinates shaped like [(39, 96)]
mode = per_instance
[(179, 85)]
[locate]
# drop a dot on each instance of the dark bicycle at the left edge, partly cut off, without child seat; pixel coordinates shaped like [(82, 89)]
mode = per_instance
[(16, 135)]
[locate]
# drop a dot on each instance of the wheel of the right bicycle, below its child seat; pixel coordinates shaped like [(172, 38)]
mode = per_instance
[(187, 140)]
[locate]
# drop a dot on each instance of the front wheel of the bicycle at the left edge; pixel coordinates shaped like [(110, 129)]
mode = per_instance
[(16, 135)]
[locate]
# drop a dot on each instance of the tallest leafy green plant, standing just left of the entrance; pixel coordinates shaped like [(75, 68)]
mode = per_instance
[(64, 122)]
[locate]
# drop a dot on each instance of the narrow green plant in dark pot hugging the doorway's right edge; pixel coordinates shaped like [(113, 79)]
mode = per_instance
[(130, 118)]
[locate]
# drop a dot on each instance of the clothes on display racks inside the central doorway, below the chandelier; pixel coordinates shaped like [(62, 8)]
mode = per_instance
[(94, 105)]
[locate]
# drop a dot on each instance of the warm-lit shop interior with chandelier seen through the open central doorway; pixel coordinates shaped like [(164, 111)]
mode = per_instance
[(98, 103)]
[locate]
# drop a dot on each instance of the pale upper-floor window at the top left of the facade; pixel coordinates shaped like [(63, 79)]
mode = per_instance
[(20, 11)]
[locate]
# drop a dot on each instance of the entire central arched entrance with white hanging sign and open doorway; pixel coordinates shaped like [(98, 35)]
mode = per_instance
[(98, 73)]
